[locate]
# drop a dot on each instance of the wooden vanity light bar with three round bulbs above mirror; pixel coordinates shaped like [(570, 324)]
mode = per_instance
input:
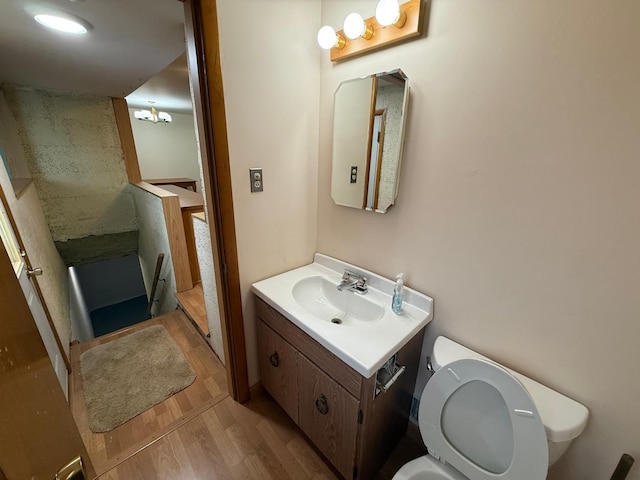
[(393, 23)]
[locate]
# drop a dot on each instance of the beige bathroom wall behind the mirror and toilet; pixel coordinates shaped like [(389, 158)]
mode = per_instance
[(519, 194)]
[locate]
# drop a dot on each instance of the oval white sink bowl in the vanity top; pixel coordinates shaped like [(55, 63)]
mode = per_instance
[(320, 297)]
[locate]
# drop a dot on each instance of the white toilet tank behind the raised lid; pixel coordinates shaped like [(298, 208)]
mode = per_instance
[(563, 418)]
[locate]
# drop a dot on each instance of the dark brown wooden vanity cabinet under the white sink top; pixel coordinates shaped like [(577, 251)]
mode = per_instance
[(333, 404)]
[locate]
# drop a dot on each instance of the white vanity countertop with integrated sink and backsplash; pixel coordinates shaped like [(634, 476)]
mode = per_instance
[(361, 330)]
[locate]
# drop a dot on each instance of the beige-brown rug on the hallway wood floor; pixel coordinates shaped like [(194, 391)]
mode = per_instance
[(127, 376)]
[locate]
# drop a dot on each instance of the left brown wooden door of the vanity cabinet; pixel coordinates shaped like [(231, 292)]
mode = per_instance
[(278, 369)]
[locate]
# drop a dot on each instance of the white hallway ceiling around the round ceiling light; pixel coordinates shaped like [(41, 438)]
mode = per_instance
[(131, 42)]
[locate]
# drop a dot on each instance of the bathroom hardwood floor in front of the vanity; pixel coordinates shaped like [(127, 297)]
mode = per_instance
[(229, 441)]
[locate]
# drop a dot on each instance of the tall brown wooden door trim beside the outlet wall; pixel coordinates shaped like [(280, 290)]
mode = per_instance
[(203, 53)]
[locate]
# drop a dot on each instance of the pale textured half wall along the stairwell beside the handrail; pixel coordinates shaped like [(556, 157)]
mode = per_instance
[(153, 240)]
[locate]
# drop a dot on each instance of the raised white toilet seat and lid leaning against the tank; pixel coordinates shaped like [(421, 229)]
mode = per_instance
[(475, 416)]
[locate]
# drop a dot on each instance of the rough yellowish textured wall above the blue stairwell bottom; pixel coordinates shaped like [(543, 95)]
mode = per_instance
[(73, 151)]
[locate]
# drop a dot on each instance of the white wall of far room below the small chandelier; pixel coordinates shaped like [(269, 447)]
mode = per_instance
[(167, 150)]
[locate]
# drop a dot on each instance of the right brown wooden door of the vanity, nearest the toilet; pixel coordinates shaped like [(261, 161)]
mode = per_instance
[(328, 414)]
